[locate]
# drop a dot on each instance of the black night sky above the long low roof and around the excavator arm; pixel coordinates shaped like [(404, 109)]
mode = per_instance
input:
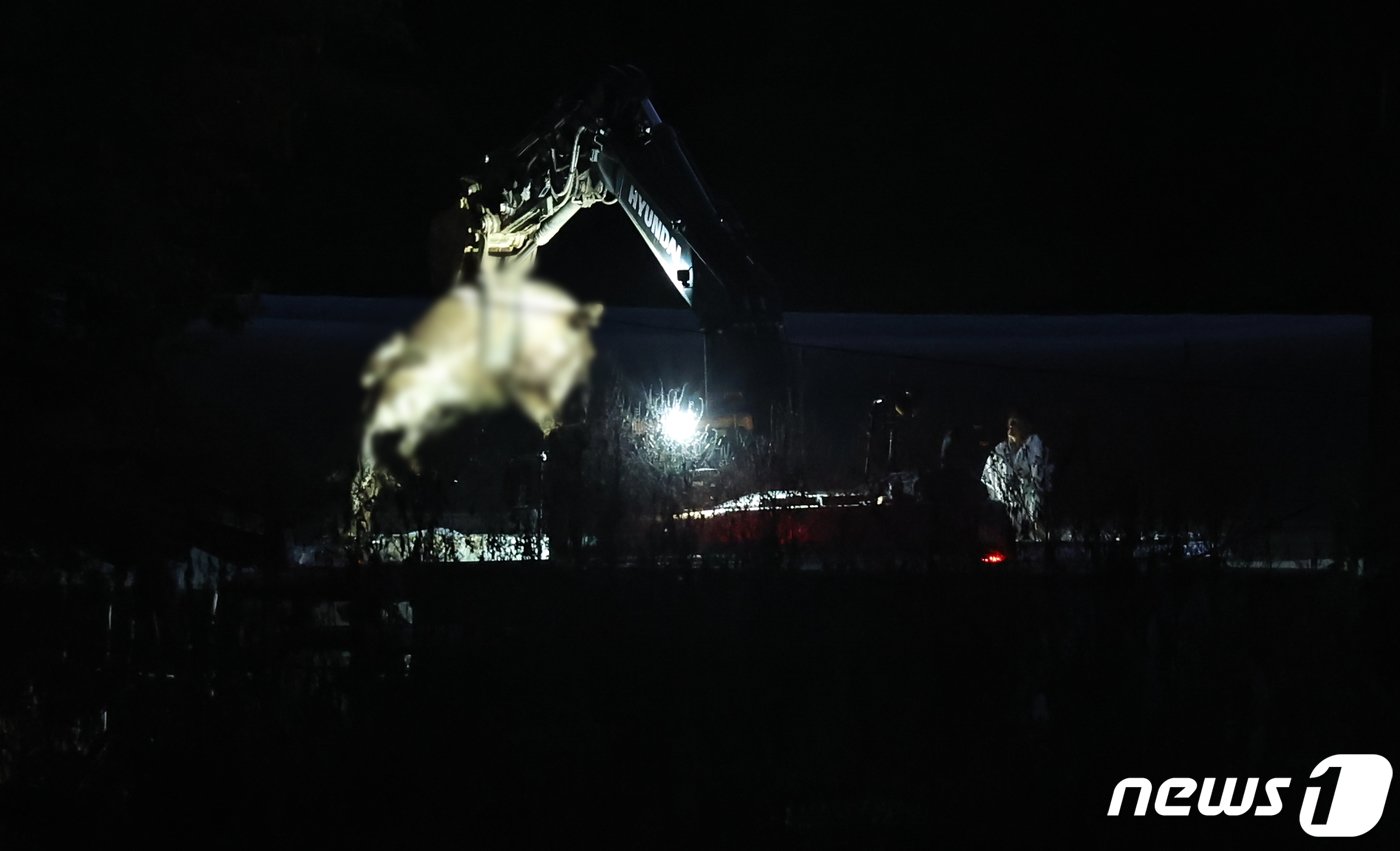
[(969, 159)]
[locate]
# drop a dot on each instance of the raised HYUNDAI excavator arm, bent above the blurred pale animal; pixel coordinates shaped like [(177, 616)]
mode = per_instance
[(608, 146)]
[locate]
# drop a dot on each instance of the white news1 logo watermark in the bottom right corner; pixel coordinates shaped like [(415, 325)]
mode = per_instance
[(1345, 796)]
